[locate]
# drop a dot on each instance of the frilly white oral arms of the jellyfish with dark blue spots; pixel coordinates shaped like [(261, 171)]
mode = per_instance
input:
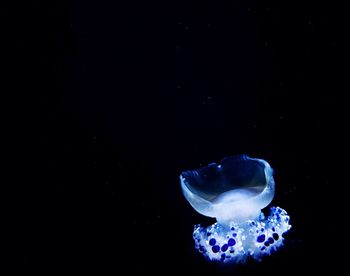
[(253, 238)]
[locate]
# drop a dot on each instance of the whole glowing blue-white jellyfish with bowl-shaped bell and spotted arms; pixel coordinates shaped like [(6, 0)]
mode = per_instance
[(234, 193)]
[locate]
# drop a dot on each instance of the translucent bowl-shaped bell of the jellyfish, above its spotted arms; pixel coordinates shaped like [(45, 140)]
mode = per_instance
[(234, 191)]
